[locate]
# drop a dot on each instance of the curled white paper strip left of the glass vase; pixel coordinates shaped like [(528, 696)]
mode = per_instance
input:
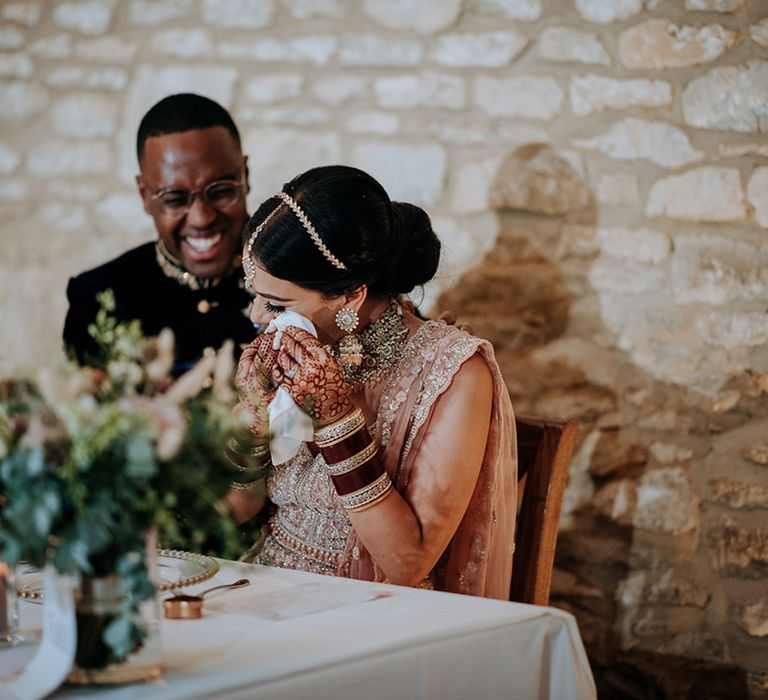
[(51, 665)]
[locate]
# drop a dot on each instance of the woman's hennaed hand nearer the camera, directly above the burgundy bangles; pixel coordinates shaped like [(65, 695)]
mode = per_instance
[(312, 376)]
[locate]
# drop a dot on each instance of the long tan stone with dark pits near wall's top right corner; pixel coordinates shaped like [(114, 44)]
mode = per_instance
[(658, 43)]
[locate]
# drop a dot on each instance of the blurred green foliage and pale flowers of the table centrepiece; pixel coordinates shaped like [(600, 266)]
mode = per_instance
[(94, 458)]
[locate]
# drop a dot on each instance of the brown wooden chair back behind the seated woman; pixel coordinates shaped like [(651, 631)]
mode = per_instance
[(544, 450)]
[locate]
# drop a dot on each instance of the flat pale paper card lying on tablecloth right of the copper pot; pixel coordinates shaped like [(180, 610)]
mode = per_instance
[(295, 601)]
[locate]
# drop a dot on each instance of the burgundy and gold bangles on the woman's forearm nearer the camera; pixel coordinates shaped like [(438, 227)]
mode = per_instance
[(353, 462)]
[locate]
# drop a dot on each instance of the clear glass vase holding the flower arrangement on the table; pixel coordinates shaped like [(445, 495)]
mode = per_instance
[(99, 600)]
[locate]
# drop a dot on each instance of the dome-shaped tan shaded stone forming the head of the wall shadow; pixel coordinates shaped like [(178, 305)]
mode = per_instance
[(538, 179)]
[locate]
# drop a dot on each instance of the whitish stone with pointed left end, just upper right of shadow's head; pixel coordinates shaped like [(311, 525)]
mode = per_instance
[(642, 139)]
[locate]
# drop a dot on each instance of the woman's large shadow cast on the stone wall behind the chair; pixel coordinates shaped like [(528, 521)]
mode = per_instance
[(532, 299)]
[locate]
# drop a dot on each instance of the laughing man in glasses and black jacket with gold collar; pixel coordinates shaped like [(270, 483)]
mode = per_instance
[(193, 179)]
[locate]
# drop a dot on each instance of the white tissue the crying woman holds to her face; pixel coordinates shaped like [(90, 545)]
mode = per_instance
[(289, 426)]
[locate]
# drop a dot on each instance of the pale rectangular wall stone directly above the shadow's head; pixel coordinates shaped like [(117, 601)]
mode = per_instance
[(527, 96)]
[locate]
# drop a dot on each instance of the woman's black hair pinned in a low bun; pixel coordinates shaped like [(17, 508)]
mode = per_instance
[(389, 246)]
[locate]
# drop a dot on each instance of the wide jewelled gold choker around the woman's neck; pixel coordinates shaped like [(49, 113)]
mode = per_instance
[(382, 342)]
